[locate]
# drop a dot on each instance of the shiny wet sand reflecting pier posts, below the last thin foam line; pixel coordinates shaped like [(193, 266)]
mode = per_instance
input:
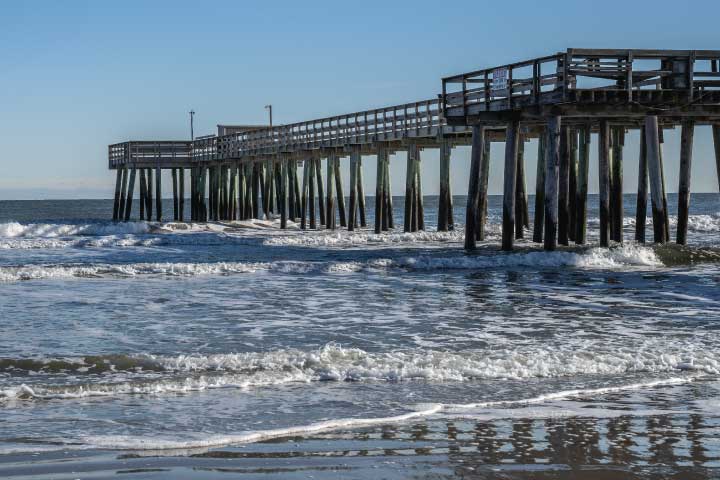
[(624, 447)]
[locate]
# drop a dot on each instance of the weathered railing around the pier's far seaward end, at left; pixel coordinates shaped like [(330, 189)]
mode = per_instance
[(166, 153)]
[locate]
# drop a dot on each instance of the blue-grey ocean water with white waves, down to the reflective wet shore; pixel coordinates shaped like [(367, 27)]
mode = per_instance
[(180, 350)]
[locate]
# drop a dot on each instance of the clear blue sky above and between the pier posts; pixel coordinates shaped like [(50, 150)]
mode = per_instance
[(79, 75)]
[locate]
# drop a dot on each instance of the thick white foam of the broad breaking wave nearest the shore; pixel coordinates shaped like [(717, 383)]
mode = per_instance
[(333, 362)]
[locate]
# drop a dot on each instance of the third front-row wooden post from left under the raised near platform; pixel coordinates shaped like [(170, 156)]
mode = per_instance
[(552, 173)]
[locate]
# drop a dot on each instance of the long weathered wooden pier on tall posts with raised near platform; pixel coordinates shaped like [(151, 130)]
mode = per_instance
[(561, 99)]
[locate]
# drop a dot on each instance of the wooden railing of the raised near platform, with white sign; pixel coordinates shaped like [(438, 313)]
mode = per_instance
[(553, 79)]
